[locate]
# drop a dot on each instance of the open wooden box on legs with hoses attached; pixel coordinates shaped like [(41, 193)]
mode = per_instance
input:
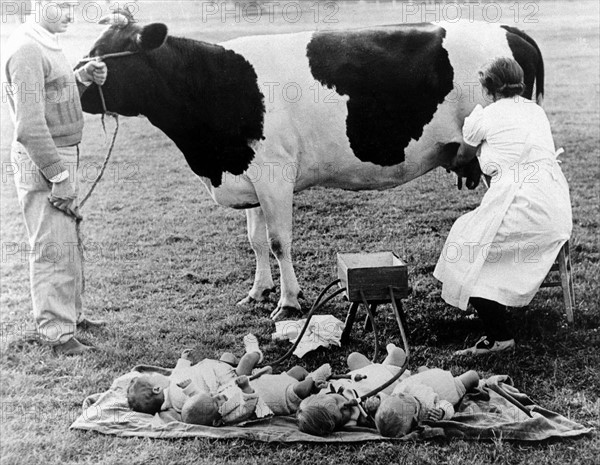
[(373, 273)]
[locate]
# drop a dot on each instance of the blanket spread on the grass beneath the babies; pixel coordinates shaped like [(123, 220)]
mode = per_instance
[(482, 414)]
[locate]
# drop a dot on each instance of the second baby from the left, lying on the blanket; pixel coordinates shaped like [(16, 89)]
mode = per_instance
[(247, 397)]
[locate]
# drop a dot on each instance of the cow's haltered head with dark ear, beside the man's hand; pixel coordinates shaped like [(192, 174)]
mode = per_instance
[(131, 78)]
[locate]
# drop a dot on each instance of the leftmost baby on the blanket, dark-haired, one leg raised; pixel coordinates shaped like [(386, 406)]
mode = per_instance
[(156, 392)]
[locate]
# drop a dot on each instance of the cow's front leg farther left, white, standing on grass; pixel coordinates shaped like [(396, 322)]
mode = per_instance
[(257, 235)]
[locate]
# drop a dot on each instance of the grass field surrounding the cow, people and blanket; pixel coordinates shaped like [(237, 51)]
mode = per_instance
[(165, 267)]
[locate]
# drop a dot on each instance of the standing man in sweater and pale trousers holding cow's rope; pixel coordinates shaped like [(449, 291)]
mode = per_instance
[(44, 93)]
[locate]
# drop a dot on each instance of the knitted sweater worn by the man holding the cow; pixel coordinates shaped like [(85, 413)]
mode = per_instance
[(43, 96)]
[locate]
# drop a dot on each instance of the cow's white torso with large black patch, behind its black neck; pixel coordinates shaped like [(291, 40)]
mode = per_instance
[(368, 108)]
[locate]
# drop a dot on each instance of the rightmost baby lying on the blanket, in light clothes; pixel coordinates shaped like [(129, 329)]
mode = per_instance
[(429, 395)]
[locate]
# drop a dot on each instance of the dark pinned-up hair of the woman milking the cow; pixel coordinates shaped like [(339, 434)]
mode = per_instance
[(503, 78)]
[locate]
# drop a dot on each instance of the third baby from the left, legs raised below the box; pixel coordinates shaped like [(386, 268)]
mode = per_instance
[(329, 410)]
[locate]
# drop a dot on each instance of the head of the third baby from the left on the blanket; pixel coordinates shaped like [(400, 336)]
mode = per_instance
[(318, 415)]
